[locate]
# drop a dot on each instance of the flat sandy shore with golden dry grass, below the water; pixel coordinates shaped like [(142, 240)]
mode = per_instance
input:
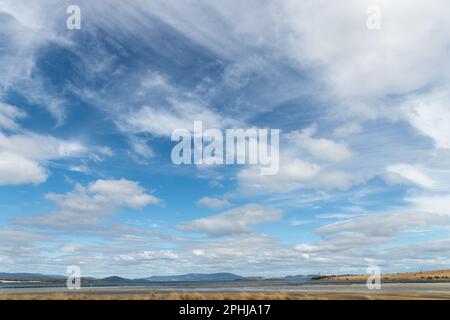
[(322, 291)]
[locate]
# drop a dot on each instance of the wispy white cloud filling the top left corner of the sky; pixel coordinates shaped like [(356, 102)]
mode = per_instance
[(26, 28)]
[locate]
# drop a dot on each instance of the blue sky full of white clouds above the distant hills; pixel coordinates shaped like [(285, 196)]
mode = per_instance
[(86, 117)]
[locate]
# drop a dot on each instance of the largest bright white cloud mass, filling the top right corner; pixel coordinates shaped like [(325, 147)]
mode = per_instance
[(342, 30)]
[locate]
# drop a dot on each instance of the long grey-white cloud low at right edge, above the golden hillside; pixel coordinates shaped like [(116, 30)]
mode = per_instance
[(361, 236)]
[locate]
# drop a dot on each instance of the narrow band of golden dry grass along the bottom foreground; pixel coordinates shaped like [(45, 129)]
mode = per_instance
[(232, 296)]
